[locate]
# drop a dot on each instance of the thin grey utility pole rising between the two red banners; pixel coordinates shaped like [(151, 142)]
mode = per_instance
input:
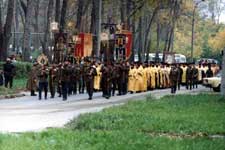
[(99, 23)]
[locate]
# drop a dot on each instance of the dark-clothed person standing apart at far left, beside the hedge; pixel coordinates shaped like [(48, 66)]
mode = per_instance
[(9, 73)]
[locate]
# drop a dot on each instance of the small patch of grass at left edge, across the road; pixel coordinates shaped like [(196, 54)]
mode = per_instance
[(18, 85)]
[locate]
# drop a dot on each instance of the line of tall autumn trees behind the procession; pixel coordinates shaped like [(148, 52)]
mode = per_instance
[(156, 24)]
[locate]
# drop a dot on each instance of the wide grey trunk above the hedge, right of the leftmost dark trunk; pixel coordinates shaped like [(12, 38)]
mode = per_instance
[(27, 30)]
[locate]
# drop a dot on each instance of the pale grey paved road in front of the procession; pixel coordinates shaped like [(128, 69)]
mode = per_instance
[(29, 114)]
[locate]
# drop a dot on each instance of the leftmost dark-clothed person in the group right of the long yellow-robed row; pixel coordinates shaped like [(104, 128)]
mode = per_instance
[(174, 78)]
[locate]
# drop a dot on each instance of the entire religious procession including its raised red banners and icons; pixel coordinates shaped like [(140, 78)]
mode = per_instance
[(74, 69)]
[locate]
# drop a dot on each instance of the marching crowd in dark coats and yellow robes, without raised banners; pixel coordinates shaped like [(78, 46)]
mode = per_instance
[(117, 78)]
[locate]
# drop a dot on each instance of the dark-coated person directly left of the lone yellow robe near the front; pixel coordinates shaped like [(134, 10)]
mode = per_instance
[(90, 74)]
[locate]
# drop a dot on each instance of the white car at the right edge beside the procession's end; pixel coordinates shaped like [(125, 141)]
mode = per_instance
[(213, 82)]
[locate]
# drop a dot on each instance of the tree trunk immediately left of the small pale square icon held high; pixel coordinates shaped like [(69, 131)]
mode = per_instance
[(47, 30)]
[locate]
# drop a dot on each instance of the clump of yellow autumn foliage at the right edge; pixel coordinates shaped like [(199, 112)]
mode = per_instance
[(217, 42)]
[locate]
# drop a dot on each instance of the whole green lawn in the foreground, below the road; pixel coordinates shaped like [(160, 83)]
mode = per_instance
[(131, 127)]
